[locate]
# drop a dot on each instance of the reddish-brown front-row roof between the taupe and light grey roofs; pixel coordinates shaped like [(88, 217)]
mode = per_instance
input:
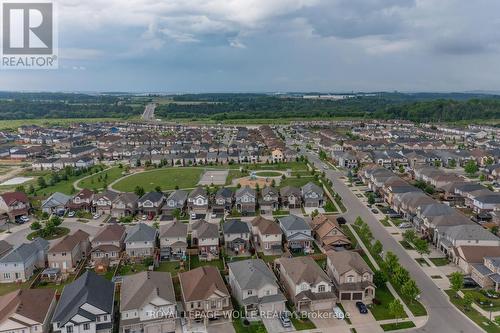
[(200, 283)]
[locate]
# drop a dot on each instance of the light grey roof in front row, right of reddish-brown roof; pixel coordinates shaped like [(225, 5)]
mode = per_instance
[(252, 273)]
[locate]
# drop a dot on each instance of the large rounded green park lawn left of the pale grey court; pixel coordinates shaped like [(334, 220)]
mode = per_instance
[(166, 178)]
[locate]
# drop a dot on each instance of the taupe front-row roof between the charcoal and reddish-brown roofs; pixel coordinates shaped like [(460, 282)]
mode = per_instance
[(138, 288)]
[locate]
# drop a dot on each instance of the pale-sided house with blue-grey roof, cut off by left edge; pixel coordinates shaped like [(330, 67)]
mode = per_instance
[(20, 263)]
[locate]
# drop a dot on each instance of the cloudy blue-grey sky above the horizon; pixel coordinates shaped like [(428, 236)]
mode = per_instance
[(272, 45)]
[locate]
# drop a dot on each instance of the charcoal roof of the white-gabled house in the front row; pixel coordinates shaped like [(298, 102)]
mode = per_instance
[(89, 288)]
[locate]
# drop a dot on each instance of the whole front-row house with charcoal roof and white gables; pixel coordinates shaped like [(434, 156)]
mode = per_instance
[(86, 305)]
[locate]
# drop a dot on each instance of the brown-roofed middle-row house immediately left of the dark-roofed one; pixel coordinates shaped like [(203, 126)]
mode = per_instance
[(205, 236)]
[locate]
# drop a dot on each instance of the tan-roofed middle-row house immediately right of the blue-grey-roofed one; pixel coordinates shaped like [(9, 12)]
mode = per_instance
[(173, 240)]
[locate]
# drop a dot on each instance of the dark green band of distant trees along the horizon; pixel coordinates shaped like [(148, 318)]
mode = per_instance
[(418, 107)]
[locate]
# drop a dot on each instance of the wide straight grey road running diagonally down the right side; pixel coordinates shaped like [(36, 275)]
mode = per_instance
[(443, 316)]
